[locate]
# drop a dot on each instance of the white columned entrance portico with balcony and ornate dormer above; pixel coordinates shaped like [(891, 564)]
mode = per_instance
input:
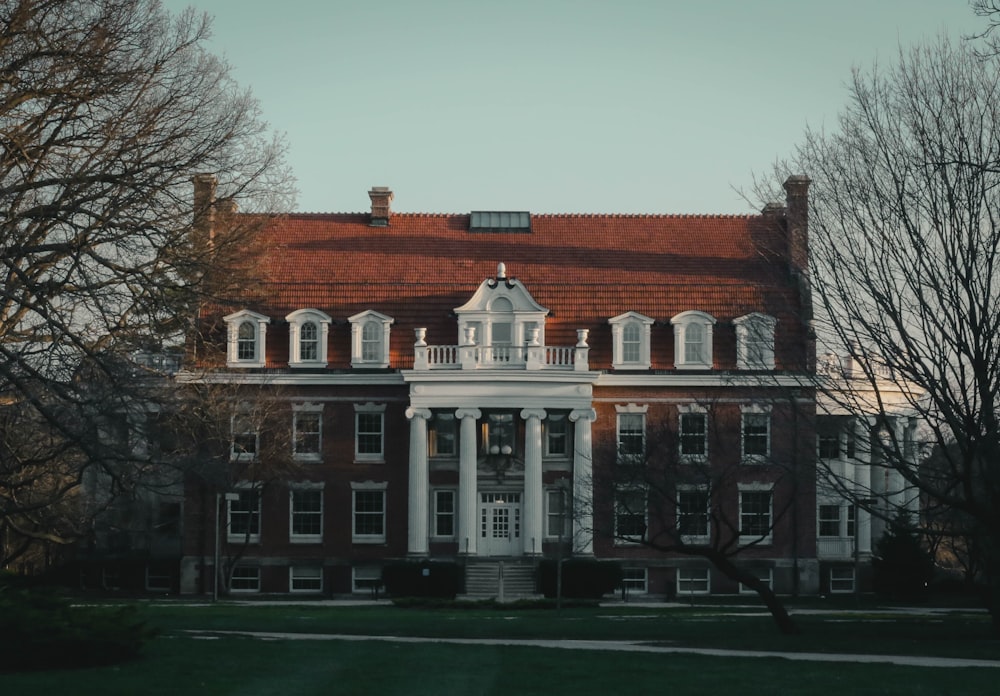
[(513, 417)]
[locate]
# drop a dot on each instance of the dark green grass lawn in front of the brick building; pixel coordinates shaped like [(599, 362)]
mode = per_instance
[(182, 662)]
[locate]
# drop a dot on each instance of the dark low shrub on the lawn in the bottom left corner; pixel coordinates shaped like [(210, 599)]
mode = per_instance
[(39, 629)]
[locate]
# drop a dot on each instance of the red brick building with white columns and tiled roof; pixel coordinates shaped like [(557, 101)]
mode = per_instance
[(473, 388)]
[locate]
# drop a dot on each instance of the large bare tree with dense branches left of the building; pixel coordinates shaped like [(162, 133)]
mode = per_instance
[(107, 110)]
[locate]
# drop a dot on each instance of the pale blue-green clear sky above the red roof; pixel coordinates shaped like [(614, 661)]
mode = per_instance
[(554, 106)]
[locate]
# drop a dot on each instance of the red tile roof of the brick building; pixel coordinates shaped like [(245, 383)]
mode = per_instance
[(583, 268)]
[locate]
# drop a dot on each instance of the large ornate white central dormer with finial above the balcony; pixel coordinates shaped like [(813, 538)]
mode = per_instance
[(501, 314)]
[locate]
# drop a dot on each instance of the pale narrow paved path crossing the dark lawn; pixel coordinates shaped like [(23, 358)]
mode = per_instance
[(624, 646)]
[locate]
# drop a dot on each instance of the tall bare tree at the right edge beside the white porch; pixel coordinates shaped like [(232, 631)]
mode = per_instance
[(905, 243)]
